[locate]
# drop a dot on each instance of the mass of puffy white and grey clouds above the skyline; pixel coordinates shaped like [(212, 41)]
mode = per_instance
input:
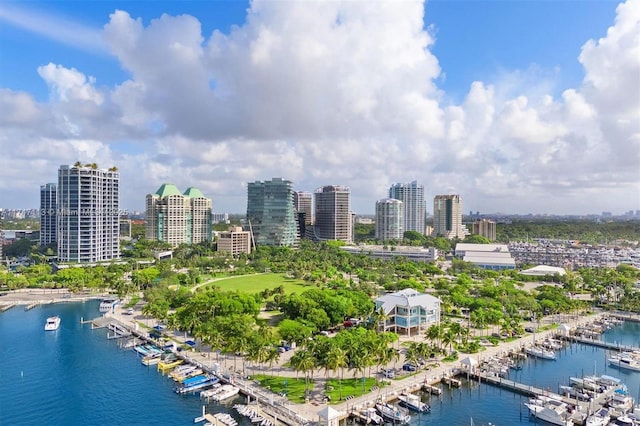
[(341, 93)]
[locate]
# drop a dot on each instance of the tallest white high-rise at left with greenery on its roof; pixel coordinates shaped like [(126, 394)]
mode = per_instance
[(88, 214)]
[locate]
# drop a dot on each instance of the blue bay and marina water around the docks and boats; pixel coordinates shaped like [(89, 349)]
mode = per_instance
[(75, 376)]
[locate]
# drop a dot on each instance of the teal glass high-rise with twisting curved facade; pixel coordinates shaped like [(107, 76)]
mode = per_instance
[(270, 212)]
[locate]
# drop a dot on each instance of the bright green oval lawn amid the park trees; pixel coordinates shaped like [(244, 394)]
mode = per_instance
[(257, 283)]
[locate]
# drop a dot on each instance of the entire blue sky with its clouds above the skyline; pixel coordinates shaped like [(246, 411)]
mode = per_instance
[(526, 106)]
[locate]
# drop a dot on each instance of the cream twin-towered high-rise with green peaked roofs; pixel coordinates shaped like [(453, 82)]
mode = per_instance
[(178, 218)]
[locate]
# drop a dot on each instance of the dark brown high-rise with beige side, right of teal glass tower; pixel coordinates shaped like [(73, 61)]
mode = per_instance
[(333, 218)]
